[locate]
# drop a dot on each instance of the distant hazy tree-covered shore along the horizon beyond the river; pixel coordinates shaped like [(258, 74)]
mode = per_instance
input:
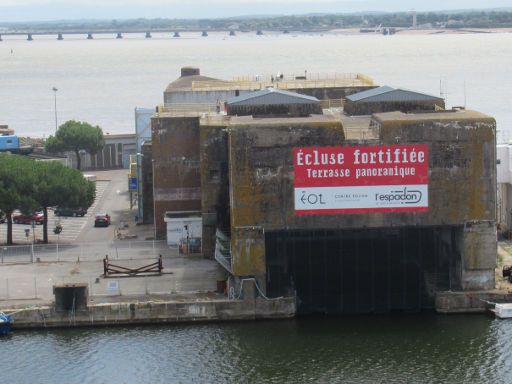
[(463, 19)]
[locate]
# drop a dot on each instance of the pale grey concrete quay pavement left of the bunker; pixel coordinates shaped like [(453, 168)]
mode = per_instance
[(25, 284)]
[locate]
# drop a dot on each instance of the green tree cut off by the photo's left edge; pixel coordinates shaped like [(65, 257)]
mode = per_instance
[(17, 187)]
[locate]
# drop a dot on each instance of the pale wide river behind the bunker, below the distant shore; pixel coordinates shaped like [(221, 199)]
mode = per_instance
[(102, 80)]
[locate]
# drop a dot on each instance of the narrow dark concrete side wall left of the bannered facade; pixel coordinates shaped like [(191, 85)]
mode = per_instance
[(214, 184)]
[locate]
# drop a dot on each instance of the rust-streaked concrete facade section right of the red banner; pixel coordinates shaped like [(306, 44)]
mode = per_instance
[(462, 165)]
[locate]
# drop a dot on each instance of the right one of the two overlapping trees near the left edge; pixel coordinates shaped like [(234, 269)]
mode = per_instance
[(58, 185)]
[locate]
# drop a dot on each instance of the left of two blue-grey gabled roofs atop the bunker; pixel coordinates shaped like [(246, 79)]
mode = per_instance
[(269, 96)]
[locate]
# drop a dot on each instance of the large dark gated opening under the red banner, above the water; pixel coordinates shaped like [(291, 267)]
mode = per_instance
[(363, 271)]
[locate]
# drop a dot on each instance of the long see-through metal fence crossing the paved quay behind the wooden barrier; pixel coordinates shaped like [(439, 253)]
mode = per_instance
[(123, 249)]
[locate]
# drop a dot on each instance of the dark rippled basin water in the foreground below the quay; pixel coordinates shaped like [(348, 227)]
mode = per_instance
[(377, 349)]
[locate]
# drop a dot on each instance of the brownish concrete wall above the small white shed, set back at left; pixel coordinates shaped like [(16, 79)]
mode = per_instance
[(177, 181)]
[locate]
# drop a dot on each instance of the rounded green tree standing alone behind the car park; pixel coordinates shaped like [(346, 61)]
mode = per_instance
[(76, 136)]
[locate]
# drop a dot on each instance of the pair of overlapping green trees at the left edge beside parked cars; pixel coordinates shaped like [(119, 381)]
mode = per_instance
[(30, 185)]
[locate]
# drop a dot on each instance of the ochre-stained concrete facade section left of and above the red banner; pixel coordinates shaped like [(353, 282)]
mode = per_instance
[(261, 176)]
